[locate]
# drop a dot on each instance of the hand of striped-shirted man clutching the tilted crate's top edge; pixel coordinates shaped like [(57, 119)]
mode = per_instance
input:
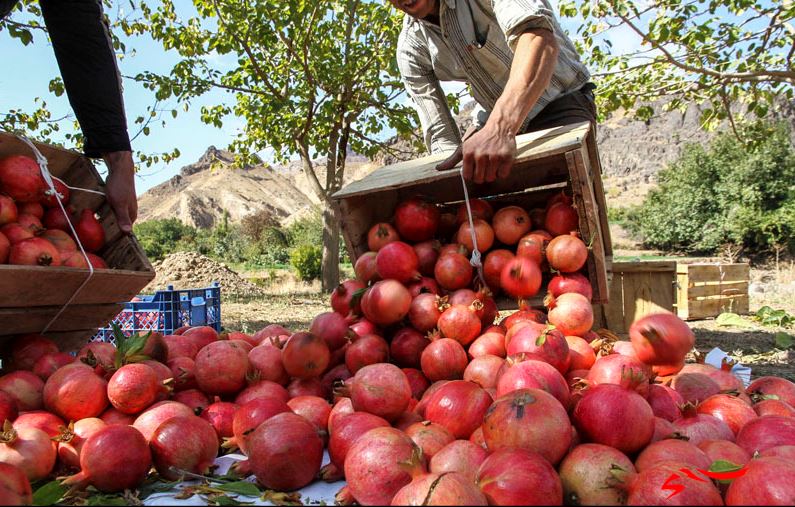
[(489, 155)]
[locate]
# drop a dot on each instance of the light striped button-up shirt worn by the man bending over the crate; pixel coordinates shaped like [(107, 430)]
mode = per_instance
[(474, 43)]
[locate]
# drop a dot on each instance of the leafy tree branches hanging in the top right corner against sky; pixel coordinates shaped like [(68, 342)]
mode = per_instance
[(718, 52)]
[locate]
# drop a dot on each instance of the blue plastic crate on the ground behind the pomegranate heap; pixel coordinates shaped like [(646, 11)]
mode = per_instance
[(168, 310)]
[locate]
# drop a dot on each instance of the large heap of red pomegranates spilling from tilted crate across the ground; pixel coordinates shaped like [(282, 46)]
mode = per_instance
[(417, 395)]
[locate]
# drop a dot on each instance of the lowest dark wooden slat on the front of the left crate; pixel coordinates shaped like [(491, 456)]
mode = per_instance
[(33, 320)]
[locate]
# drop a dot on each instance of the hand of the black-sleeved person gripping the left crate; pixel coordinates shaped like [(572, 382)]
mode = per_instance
[(120, 188)]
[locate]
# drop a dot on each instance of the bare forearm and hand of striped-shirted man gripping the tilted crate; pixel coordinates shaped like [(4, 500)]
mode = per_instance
[(490, 152)]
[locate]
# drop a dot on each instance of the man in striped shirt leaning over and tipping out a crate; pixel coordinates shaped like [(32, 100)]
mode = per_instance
[(521, 68)]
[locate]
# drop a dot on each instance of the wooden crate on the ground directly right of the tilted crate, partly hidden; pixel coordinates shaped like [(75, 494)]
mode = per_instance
[(637, 289)]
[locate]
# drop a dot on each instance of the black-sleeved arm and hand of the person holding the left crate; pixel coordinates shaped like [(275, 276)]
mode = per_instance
[(85, 55)]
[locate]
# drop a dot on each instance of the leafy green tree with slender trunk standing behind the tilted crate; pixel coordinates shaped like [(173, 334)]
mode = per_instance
[(312, 79)]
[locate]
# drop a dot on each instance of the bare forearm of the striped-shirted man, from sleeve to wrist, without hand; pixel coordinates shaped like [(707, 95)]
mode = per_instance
[(531, 72)]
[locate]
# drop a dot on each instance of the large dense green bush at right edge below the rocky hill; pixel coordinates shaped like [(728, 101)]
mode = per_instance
[(731, 193)]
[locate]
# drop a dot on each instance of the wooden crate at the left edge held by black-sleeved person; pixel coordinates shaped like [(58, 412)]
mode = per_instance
[(30, 296)]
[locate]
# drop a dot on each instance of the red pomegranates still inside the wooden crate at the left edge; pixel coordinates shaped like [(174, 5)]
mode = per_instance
[(34, 230)]
